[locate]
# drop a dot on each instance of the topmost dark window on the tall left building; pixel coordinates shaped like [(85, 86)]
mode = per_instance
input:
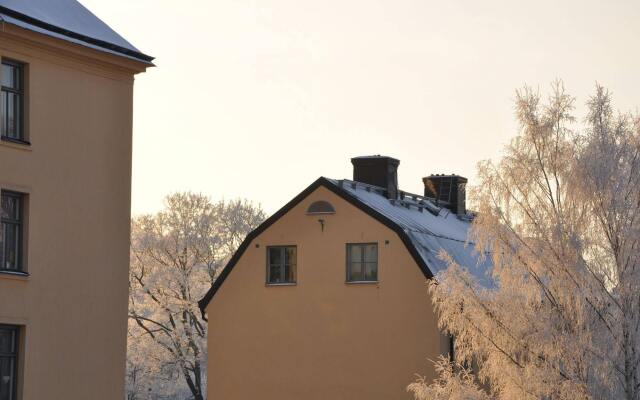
[(12, 101)]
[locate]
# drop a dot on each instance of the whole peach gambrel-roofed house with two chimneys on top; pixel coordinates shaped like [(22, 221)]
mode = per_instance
[(327, 299)]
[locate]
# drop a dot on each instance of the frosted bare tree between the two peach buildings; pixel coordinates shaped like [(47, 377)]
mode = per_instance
[(176, 255)]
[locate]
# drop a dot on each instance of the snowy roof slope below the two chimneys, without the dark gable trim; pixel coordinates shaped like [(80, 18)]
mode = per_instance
[(429, 227)]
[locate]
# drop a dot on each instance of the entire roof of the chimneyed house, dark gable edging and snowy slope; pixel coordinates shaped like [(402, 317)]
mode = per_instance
[(424, 228)]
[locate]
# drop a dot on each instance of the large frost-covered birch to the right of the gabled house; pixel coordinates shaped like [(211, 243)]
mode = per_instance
[(559, 216)]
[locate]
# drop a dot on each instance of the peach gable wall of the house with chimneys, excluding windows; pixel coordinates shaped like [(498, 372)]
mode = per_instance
[(322, 338)]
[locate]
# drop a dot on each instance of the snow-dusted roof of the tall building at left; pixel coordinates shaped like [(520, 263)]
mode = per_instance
[(68, 20)]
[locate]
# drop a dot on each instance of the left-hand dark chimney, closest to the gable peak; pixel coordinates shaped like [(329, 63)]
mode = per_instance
[(379, 171)]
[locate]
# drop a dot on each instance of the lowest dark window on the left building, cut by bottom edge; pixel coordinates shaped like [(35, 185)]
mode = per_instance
[(8, 362)]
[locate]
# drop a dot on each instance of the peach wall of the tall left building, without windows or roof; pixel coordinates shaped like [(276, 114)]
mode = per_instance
[(77, 174)]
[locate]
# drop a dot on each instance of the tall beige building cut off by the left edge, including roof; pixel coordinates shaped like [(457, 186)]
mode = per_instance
[(65, 179)]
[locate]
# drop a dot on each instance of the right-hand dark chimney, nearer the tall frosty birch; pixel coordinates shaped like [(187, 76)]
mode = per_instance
[(448, 191)]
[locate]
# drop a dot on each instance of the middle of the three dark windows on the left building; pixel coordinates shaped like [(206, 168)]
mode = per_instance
[(11, 226)]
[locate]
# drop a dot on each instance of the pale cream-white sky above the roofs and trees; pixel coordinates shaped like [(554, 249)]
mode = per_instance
[(258, 98)]
